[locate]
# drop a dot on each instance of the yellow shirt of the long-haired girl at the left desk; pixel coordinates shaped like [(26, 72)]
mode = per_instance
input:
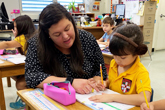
[(21, 39)]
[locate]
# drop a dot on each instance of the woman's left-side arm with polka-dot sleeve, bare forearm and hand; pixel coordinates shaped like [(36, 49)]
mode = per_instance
[(36, 77)]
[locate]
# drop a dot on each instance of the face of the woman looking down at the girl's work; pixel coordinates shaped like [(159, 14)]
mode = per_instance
[(63, 35)]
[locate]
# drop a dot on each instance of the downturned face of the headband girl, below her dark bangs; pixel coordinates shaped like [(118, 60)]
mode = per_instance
[(124, 61)]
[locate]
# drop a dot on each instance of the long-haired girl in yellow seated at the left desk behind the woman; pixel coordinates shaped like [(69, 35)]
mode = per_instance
[(23, 30)]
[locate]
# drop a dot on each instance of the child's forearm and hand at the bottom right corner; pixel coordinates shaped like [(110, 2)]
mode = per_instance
[(155, 105)]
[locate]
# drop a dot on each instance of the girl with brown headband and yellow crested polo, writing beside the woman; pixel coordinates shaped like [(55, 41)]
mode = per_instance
[(126, 70)]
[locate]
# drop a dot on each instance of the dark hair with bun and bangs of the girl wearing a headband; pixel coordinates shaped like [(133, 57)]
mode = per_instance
[(120, 47)]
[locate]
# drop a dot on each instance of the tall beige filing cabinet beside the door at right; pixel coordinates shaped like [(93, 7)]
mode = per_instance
[(147, 20)]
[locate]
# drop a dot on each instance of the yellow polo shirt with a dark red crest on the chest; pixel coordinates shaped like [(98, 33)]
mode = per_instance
[(128, 82)]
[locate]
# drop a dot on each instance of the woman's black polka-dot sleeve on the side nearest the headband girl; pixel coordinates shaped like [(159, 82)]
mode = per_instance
[(92, 51)]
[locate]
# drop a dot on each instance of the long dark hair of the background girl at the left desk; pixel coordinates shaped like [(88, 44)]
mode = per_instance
[(24, 26)]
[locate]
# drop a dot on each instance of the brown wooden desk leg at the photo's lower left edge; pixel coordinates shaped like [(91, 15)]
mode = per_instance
[(2, 99)]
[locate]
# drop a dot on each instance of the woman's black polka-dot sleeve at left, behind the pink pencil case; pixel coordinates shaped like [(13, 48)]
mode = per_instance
[(34, 73)]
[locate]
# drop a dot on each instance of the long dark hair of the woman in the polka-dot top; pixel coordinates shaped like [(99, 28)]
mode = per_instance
[(47, 52)]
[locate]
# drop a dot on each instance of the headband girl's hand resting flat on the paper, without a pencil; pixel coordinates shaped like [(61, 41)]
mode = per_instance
[(102, 98)]
